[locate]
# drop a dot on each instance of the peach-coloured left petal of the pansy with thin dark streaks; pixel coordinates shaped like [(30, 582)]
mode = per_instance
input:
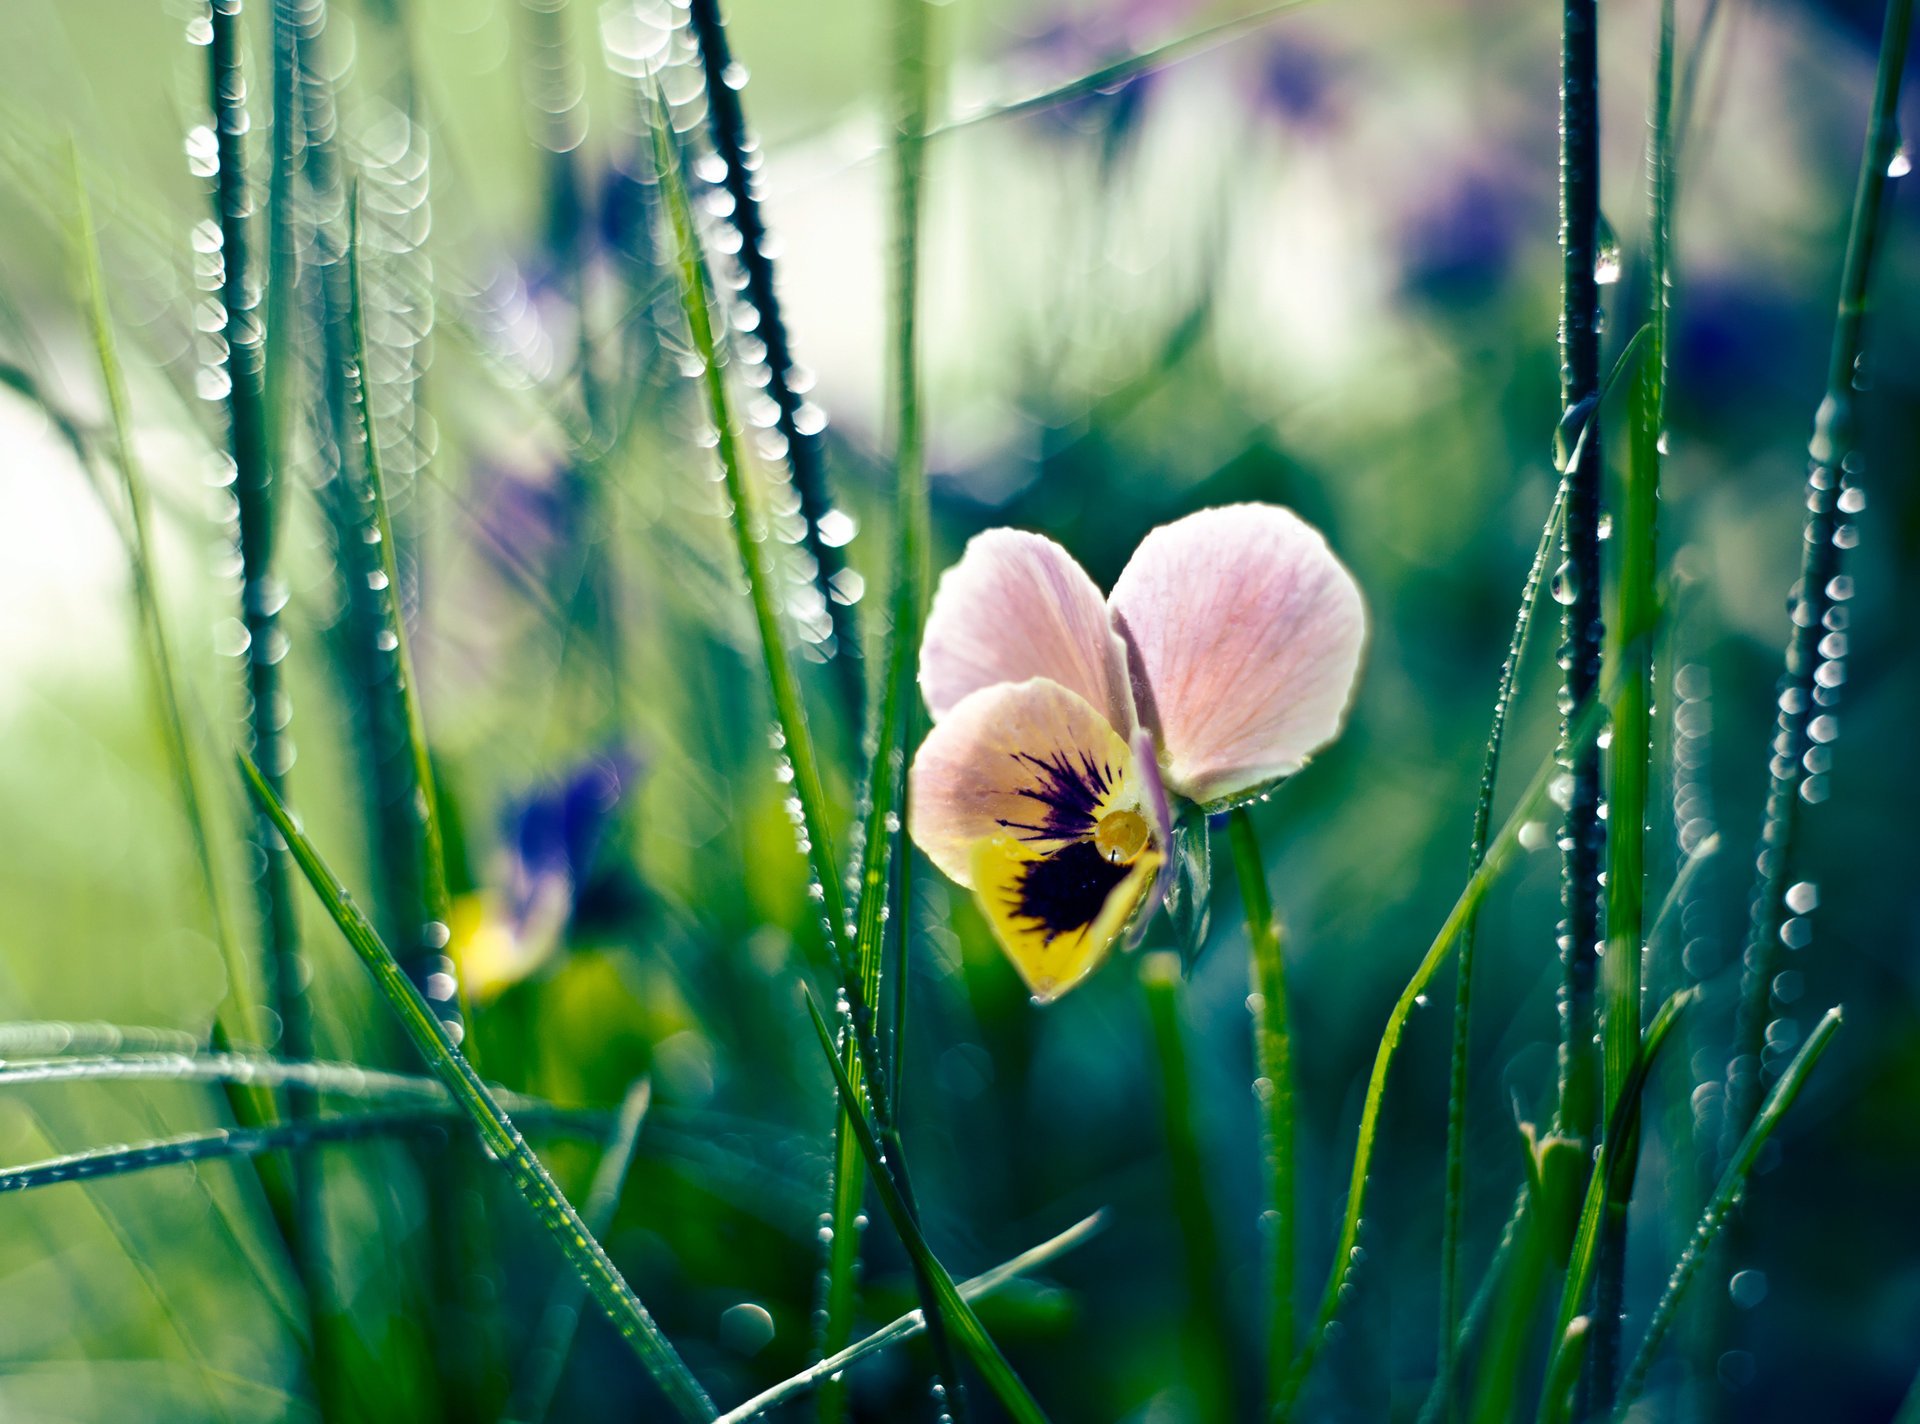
[(986, 771)]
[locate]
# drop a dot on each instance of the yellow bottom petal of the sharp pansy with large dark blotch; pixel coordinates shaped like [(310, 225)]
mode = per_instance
[(1057, 911)]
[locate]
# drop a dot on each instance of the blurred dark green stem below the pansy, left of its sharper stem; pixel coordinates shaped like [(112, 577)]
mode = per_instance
[(1209, 1365)]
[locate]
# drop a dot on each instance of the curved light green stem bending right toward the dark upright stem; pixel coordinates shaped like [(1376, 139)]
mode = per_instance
[(1585, 724)]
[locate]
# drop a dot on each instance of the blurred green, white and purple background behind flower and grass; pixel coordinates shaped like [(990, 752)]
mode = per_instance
[(1308, 262)]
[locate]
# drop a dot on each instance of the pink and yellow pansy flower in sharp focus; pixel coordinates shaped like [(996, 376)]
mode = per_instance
[(1070, 728)]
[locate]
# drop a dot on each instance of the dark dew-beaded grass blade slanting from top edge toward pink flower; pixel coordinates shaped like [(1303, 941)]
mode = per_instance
[(800, 425)]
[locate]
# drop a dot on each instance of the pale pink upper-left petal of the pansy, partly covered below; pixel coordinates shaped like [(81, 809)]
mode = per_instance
[(1019, 607)]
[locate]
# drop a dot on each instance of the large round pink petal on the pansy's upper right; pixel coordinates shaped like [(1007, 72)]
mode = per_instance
[(1243, 634)]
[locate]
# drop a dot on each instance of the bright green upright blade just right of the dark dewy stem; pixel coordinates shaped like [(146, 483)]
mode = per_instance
[(1631, 753)]
